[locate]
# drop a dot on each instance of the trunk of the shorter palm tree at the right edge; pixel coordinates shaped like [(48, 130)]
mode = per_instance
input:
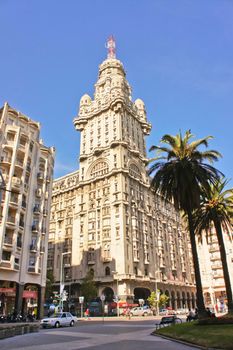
[(226, 275)]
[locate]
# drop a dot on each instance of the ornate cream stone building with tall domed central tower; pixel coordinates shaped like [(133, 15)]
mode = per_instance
[(105, 217)]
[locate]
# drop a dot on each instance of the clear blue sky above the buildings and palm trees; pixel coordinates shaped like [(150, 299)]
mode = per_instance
[(178, 56)]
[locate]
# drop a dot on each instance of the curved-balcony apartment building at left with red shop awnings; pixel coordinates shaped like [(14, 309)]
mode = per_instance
[(27, 169)]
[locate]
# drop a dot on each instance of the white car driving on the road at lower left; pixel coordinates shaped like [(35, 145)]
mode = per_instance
[(58, 320)]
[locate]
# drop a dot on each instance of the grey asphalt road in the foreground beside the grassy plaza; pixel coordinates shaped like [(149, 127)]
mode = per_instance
[(110, 335)]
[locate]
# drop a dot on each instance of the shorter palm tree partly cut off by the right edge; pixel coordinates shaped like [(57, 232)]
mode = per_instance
[(217, 208)]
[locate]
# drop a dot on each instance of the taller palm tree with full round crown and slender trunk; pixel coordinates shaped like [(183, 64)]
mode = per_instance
[(181, 172)]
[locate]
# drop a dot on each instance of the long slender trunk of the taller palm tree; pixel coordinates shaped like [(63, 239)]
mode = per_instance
[(200, 299)]
